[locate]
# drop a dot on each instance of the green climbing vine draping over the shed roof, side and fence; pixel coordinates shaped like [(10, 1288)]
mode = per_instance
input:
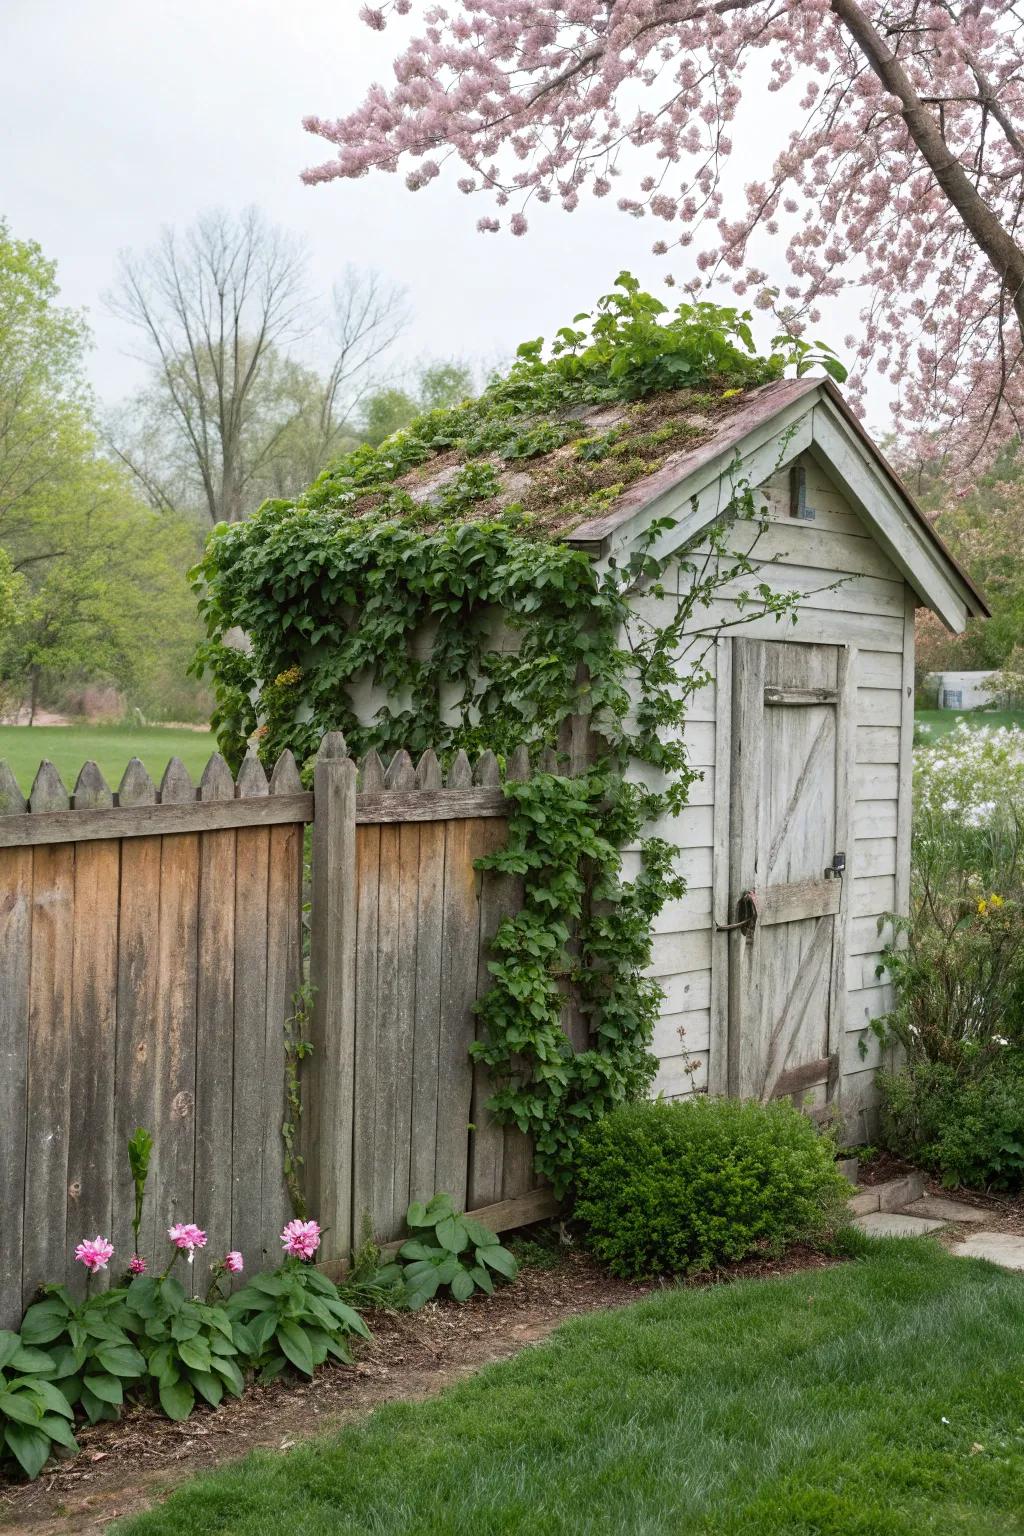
[(382, 603)]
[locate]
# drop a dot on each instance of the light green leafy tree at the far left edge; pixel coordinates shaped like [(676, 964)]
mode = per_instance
[(93, 584)]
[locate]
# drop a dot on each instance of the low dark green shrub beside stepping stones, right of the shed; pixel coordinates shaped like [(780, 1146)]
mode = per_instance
[(966, 1127)]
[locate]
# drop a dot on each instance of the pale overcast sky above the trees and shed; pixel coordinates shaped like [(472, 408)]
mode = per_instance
[(119, 118)]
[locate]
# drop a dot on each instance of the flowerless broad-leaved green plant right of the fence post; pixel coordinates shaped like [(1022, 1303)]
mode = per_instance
[(451, 1250)]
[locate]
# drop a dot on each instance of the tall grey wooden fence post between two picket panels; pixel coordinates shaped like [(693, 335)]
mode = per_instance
[(331, 1078)]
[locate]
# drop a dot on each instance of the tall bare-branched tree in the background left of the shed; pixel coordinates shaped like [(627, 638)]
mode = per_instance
[(230, 415)]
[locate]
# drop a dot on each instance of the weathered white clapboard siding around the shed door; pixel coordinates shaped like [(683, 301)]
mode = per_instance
[(873, 614)]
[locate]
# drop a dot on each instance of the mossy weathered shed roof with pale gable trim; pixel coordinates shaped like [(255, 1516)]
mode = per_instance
[(596, 475)]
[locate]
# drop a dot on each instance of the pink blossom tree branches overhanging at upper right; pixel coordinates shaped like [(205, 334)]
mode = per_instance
[(905, 176)]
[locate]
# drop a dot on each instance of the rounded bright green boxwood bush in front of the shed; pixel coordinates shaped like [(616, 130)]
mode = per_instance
[(679, 1188)]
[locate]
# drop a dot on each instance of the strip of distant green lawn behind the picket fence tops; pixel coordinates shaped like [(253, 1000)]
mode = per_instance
[(110, 746)]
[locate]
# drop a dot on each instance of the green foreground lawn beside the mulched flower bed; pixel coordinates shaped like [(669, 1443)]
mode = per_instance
[(880, 1399)]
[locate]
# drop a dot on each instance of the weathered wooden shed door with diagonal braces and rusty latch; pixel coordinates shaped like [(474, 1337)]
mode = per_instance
[(788, 833)]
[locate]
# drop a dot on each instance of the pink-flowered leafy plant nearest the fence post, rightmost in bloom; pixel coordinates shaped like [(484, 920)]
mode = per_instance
[(294, 1316)]
